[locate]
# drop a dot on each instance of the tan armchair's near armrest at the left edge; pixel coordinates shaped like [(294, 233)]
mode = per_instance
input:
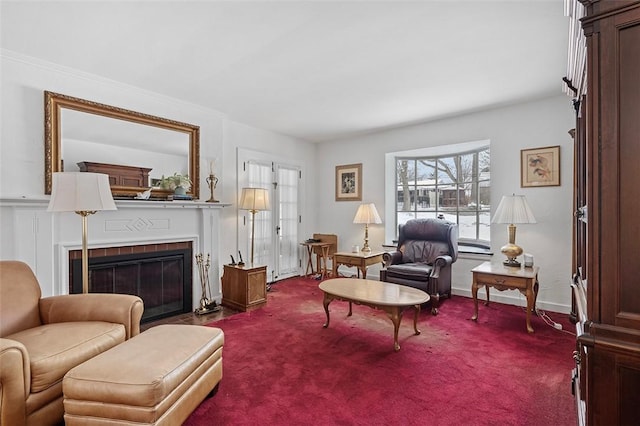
[(15, 382)]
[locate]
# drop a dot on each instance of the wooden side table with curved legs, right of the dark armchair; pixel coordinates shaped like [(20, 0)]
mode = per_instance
[(501, 277)]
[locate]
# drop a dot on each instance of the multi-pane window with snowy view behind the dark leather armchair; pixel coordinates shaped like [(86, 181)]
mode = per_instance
[(453, 186)]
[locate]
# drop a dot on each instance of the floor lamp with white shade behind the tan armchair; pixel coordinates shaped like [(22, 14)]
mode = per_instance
[(85, 194)]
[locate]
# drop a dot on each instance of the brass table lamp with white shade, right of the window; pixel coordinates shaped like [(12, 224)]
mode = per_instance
[(513, 209)]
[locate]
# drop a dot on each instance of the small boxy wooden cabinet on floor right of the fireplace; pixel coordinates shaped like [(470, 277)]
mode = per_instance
[(244, 288)]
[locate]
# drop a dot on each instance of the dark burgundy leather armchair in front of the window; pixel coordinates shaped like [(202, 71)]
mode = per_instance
[(426, 250)]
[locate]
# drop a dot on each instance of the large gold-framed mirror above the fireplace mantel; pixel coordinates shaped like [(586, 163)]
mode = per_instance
[(79, 132)]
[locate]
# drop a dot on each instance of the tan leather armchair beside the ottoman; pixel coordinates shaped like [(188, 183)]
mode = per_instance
[(43, 338)]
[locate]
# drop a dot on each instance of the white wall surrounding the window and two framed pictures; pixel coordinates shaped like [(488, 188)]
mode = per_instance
[(512, 128)]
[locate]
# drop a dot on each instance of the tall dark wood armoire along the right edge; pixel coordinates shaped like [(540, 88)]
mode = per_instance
[(607, 229)]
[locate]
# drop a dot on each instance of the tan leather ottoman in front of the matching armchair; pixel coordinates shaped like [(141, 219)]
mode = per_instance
[(156, 378)]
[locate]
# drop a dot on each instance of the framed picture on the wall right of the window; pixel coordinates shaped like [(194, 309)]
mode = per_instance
[(540, 167)]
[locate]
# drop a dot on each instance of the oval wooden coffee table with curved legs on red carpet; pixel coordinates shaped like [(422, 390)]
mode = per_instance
[(390, 298)]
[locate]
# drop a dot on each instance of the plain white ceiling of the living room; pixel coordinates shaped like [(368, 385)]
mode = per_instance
[(317, 70)]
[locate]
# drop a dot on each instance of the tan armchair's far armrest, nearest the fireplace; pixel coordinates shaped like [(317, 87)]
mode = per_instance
[(122, 309)]
